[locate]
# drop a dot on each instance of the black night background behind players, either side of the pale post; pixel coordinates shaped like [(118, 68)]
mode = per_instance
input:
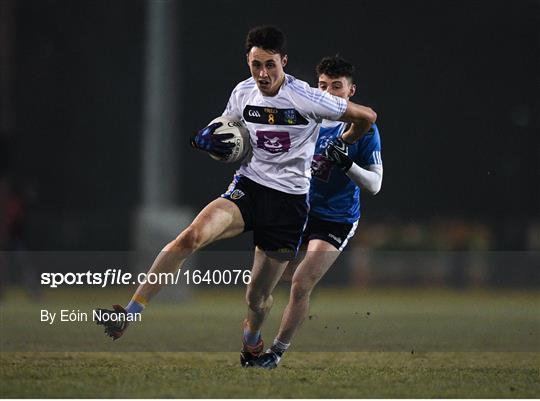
[(455, 85)]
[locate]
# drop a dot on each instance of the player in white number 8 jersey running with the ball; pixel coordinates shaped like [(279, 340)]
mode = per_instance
[(269, 192)]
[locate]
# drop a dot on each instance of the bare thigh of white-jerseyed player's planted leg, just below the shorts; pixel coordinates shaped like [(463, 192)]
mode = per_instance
[(266, 272)]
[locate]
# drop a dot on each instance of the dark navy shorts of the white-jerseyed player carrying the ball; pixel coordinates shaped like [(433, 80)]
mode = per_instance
[(276, 218)]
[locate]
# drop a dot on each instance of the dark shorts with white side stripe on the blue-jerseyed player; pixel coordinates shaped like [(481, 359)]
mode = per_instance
[(335, 233)]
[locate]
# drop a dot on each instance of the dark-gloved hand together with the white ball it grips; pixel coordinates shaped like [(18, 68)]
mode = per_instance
[(226, 140)]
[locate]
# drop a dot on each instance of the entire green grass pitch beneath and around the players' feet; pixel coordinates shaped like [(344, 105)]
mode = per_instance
[(376, 343)]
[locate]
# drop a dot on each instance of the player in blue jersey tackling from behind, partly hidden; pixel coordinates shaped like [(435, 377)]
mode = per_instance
[(343, 163)]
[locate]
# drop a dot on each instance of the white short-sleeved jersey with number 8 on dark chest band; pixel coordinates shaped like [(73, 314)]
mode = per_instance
[(283, 131)]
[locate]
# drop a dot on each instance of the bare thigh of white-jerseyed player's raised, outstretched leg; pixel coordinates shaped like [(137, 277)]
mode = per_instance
[(220, 219)]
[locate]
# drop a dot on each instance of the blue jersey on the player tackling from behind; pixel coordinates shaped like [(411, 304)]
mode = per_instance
[(332, 195)]
